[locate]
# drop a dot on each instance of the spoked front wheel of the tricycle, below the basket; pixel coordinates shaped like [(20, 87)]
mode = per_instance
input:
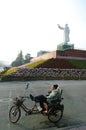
[(14, 114)]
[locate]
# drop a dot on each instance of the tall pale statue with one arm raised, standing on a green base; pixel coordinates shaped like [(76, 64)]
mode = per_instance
[(66, 32)]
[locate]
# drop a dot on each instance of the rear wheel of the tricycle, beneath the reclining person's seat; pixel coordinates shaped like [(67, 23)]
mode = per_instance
[(55, 115)]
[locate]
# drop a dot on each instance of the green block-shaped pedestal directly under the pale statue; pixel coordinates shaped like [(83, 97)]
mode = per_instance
[(65, 46)]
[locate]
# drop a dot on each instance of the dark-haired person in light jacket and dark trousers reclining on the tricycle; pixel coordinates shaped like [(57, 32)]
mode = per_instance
[(54, 94)]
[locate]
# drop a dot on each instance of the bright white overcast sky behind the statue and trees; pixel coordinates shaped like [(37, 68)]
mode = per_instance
[(31, 25)]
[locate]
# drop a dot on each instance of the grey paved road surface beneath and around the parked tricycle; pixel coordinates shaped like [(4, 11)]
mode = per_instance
[(74, 93)]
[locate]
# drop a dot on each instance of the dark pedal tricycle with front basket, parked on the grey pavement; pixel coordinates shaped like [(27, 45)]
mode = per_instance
[(54, 114)]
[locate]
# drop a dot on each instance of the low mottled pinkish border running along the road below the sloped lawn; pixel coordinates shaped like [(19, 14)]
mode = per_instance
[(46, 73)]
